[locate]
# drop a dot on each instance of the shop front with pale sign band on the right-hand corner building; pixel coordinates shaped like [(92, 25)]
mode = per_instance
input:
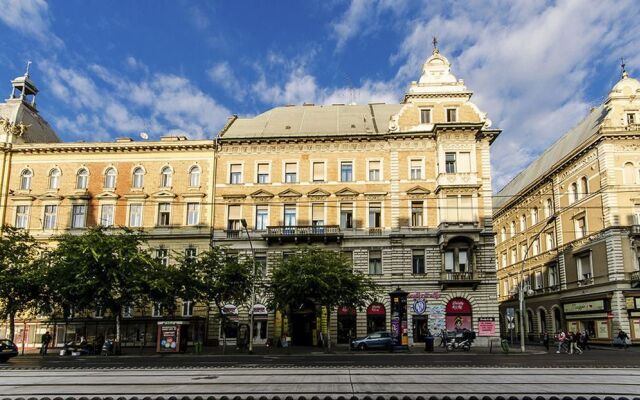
[(592, 316)]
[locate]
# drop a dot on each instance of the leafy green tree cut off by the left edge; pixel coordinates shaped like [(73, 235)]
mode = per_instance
[(20, 277)]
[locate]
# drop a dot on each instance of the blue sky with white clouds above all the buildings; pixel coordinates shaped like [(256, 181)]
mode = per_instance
[(115, 68)]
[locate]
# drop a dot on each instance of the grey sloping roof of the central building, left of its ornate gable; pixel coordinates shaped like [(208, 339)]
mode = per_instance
[(311, 120)]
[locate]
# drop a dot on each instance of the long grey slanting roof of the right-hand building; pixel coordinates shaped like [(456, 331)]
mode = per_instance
[(547, 161)]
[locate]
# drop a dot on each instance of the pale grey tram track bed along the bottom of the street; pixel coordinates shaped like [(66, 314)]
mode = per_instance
[(350, 383)]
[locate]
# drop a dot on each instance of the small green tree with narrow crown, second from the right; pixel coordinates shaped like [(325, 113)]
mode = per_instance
[(216, 277)]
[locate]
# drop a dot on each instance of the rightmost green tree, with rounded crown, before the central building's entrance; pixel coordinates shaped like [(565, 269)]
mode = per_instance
[(324, 277)]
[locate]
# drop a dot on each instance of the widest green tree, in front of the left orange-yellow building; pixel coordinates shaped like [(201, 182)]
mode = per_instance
[(106, 268)]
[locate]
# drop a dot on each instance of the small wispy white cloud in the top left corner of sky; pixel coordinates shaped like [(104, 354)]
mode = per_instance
[(30, 17)]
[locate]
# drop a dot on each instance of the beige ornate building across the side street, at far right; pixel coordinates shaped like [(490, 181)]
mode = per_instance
[(570, 222)]
